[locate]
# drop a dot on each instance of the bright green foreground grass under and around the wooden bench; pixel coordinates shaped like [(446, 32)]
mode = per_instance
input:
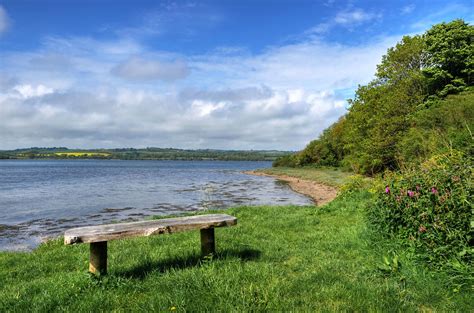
[(277, 259)]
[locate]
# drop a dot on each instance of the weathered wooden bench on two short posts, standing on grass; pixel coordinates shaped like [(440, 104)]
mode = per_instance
[(98, 236)]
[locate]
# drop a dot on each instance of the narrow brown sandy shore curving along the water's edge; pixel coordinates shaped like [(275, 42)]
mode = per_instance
[(321, 194)]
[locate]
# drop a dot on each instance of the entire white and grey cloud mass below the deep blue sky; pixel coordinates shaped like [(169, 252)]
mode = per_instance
[(278, 99)]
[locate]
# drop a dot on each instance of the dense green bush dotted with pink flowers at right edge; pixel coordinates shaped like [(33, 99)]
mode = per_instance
[(430, 207)]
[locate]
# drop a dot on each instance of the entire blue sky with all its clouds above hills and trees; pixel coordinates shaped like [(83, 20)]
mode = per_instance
[(193, 74)]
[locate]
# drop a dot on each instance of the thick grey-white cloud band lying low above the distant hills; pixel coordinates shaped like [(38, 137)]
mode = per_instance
[(268, 119)]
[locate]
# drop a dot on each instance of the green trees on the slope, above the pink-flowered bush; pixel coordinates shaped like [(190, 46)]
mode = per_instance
[(403, 115)]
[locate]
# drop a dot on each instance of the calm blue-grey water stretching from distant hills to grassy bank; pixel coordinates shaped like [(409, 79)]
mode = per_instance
[(42, 198)]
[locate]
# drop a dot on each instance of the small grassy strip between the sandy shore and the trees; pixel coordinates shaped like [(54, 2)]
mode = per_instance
[(329, 176)]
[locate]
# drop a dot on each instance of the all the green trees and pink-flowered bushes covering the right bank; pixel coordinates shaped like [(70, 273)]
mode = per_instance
[(410, 129)]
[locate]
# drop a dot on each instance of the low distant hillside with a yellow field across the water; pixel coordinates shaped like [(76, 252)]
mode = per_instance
[(143, 154)]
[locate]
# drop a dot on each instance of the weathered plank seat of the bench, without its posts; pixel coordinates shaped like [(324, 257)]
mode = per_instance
[(109, 232)]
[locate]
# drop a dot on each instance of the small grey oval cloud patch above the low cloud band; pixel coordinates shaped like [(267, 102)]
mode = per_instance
[(140, 69)]
